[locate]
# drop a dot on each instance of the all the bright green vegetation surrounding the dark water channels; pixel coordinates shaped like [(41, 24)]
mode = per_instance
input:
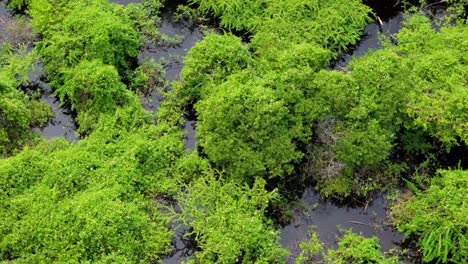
[(267, 111)]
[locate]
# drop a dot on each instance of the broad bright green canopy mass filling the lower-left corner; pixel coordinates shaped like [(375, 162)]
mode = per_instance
[(88, 202)]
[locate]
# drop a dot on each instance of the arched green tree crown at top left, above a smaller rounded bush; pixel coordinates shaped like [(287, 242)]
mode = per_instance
[(88, 33)]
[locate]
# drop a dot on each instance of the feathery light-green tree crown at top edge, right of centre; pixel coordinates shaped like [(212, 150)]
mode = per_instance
[(331, 24)]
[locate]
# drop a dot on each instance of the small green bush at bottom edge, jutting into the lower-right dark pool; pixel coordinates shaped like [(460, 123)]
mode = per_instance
[(353, 248)]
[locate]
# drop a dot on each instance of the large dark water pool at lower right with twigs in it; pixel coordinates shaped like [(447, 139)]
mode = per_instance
[(327, 218)]
